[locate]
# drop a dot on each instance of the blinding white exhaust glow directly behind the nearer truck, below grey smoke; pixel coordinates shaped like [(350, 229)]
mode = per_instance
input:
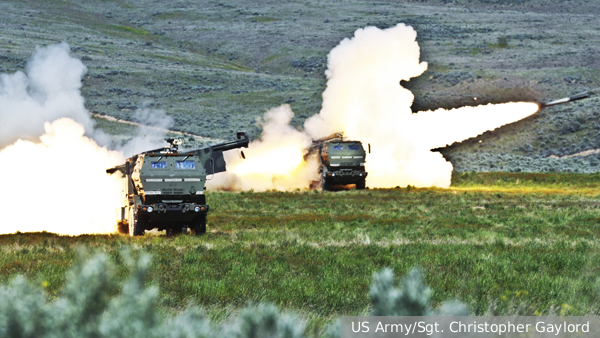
[(59, 183)]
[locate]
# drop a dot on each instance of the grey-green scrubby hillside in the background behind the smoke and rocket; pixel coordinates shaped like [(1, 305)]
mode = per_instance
[(214, 66)]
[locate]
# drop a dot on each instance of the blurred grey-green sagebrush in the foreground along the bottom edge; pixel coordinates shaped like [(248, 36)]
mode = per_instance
[(89, 307)]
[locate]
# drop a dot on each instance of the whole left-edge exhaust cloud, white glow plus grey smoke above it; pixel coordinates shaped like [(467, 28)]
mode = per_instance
[(52, 177)]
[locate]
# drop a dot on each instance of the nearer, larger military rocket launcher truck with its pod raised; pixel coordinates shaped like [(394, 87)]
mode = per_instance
[(165, 187)]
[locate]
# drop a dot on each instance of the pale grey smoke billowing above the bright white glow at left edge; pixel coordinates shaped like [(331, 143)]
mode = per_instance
[(48, 90)]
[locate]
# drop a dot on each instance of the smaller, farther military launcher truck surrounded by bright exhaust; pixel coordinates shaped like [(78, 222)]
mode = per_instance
[(341, 162)]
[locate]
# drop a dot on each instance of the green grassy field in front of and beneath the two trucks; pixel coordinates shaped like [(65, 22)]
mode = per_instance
[(519, 244)]
